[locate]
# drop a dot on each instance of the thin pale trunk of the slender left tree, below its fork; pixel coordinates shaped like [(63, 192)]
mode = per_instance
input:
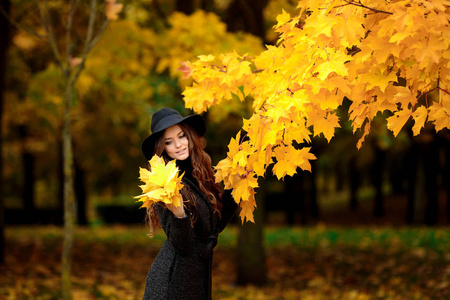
[(69, 200)]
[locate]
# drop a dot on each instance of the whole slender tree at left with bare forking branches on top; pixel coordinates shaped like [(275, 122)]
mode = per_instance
[(71, 64)]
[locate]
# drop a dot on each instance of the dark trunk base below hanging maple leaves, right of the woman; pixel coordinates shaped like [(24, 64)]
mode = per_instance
[(251, 264)]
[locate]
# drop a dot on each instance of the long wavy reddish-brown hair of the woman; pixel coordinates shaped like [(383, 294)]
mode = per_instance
[(202, 171)]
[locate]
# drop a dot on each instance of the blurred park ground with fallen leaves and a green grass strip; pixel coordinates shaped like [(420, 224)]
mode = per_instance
[(302, 263)]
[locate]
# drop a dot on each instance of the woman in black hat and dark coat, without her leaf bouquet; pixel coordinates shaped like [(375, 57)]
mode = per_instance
[(182, 268)]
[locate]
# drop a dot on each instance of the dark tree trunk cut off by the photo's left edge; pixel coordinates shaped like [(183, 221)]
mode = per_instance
[(4, 44)]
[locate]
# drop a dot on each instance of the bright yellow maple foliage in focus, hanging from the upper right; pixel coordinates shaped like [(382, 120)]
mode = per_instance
[(328, 51)]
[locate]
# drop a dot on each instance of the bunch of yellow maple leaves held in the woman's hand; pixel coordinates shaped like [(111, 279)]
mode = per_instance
[(162, 183)]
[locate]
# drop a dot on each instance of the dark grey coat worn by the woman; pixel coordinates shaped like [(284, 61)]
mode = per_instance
[(182, 269)]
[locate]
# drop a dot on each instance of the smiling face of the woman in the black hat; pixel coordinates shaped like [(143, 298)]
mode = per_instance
[(176, 144)]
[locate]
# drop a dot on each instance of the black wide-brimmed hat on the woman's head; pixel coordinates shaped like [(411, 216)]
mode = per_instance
[(165, 118)]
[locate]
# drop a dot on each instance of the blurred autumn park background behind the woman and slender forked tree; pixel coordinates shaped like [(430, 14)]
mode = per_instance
[(364, 224)]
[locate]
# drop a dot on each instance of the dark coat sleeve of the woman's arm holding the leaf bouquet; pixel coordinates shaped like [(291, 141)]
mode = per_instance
[(179, 231)]
